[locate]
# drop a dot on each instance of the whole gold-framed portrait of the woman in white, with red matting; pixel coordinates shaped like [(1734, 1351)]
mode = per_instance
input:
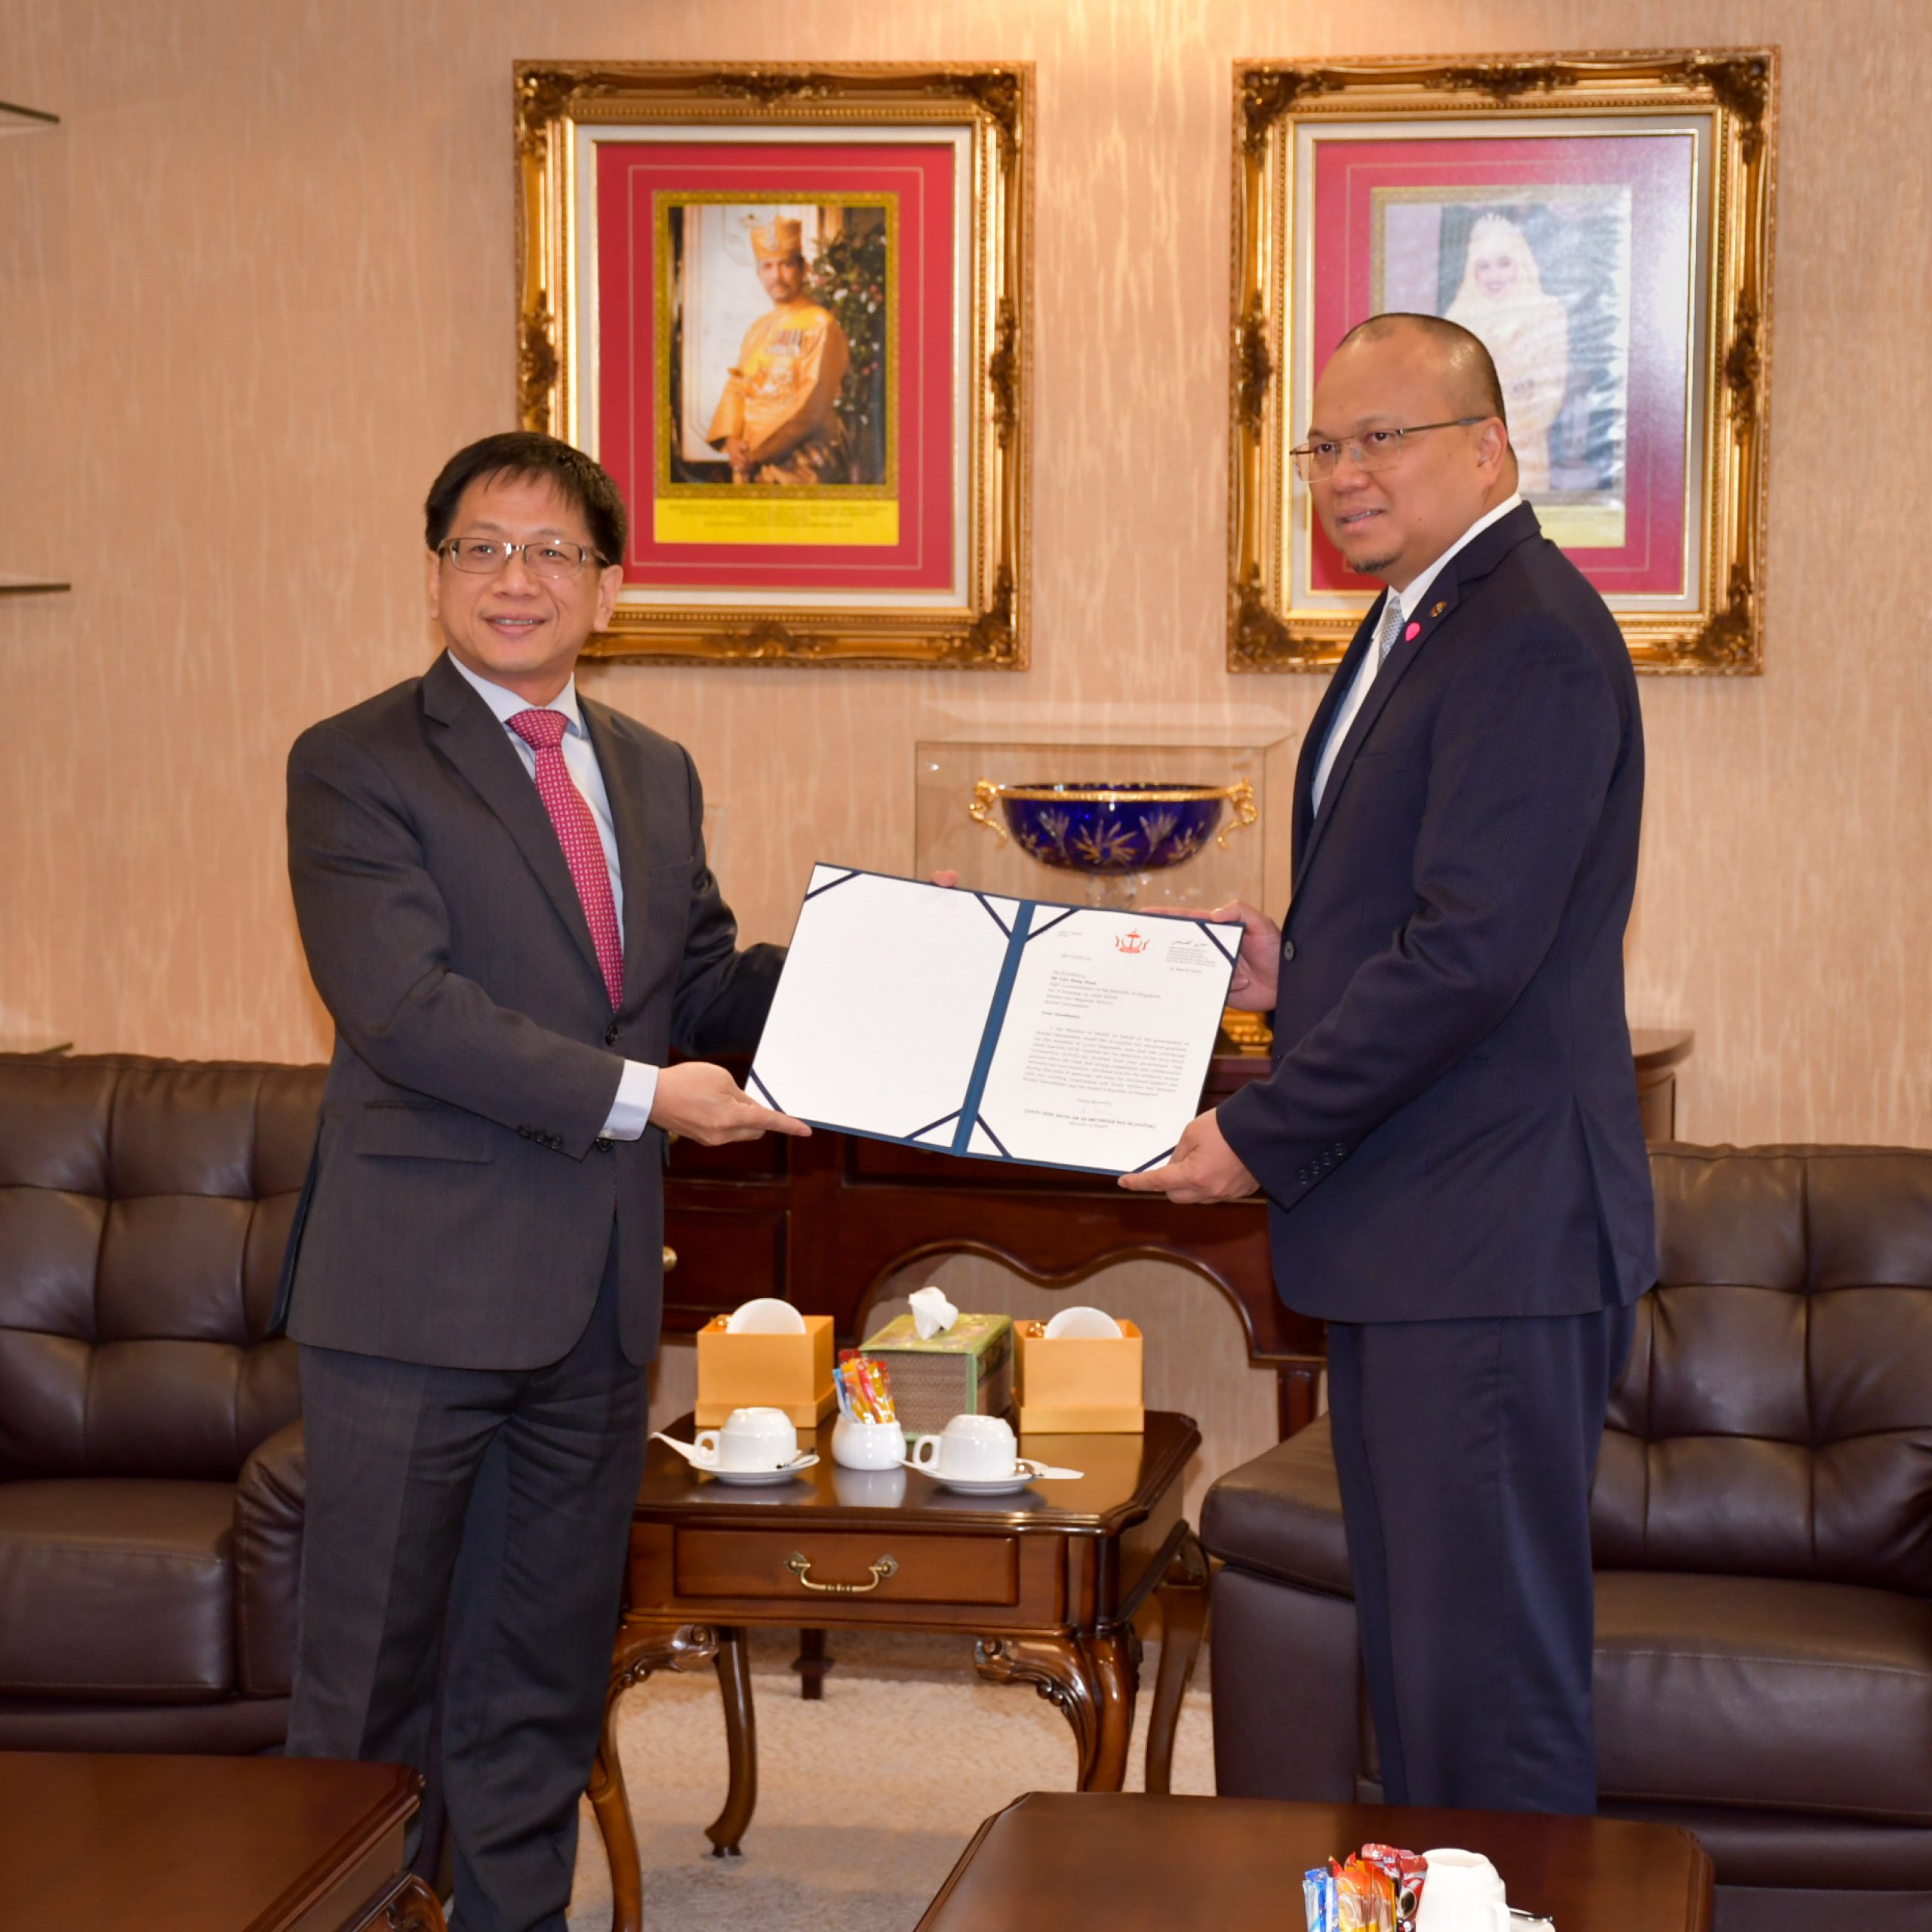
[(1328, 156)]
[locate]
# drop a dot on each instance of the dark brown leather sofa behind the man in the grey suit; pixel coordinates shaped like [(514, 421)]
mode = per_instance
[(150, 1450)]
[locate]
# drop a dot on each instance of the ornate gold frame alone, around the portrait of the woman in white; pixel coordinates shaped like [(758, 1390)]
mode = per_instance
[(1738, 90)]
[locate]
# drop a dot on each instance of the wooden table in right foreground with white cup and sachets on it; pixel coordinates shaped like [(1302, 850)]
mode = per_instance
[(1236, 1865)]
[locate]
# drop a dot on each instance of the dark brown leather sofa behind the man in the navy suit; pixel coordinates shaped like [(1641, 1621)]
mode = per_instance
[(1763, 1527)]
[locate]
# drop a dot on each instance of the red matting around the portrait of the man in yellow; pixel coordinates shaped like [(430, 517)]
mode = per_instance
[(631, 179)]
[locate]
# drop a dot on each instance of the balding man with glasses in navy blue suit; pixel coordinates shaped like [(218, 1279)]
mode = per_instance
[(1448, 1135)]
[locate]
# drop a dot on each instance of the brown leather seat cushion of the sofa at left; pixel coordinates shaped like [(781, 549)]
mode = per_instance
[(117, 1589)]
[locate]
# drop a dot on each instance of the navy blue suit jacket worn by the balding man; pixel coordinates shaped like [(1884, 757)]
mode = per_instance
[(1450, 1123)]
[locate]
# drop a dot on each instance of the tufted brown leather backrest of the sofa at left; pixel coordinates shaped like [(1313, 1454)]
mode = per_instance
[(144, 1212)]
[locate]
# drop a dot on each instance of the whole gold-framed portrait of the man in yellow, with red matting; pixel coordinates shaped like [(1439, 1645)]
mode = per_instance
[(921, 559)]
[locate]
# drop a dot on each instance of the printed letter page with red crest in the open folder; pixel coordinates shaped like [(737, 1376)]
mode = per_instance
[(1108, 1038)]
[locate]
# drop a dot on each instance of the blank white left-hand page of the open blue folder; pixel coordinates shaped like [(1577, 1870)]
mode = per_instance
[(882, 1006)]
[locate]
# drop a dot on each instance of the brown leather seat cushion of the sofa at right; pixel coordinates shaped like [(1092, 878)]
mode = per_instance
[(1765, 1693)]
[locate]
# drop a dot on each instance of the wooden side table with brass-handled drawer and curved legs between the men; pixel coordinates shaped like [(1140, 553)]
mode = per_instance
[(1048, 1579)]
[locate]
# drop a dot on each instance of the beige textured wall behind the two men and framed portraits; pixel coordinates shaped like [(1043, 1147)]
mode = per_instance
[(258, 285)]
